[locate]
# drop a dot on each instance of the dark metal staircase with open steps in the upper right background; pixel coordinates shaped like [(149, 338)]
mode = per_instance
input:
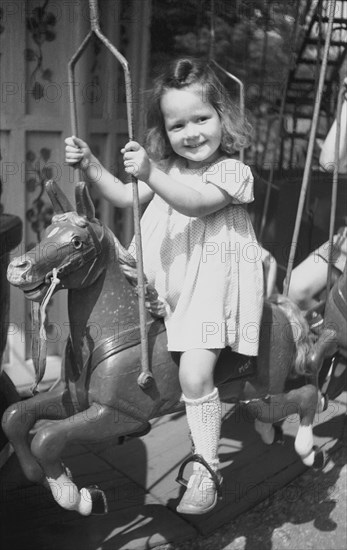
[(304, 75)]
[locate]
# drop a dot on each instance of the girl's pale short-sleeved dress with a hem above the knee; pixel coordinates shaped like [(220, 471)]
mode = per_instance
[(208, 270)]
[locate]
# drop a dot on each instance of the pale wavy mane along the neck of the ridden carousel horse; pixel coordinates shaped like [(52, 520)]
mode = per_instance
[(127, 264)]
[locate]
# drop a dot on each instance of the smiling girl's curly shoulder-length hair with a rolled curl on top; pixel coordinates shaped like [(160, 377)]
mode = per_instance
[(181, 74)]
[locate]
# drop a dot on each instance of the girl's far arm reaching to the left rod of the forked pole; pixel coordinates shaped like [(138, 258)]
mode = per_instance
[(111, 188)]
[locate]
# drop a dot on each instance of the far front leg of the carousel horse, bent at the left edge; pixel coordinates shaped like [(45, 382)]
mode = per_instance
[(21, 417)]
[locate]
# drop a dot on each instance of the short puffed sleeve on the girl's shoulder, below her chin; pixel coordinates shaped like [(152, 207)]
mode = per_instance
[(234, 177)]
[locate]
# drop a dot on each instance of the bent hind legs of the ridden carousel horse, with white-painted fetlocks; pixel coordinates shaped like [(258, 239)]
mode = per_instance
[(302, 401)]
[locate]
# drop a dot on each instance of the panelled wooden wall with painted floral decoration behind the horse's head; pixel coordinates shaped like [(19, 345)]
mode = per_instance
[(37, 39)]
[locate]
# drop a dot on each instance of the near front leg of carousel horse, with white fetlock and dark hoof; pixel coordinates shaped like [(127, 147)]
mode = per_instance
[(96, 423)]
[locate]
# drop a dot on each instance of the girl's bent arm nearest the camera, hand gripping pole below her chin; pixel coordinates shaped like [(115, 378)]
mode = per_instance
[(185, 200)]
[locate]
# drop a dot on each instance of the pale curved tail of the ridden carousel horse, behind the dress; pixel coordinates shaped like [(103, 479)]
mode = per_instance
[(301, 333)]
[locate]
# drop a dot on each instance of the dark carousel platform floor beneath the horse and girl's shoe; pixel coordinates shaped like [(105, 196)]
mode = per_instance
[(138, 477)]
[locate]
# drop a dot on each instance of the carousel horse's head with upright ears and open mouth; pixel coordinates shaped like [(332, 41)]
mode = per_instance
[(72, 248)]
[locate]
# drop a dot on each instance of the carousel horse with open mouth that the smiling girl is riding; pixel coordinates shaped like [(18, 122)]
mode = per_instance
[(99, 396)]
